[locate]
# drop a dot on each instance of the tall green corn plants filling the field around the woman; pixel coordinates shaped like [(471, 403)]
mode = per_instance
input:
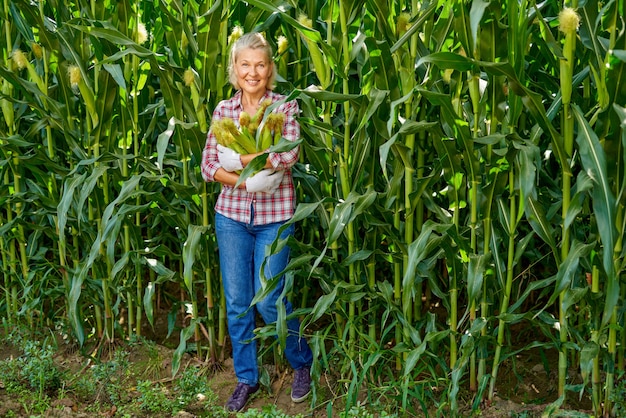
[(462, 178)]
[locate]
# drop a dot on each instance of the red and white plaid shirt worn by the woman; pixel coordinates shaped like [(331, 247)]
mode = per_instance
[(237, 204)]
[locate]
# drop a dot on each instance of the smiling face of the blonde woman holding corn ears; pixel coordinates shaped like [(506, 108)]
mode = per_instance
[(253, 71)]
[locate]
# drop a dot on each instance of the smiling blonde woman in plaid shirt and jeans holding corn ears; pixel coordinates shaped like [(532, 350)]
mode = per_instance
[(248, 219)]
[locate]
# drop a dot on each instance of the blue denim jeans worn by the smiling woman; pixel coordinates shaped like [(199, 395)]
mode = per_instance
[(242, 249)]
